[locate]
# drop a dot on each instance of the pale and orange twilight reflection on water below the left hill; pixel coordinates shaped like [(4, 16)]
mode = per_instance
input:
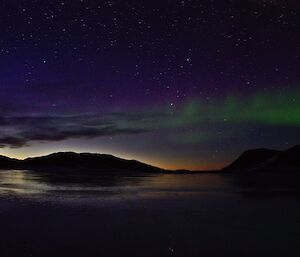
[(43, 186)]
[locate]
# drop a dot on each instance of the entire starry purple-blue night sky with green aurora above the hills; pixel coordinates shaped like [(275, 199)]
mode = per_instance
[(177, 84)]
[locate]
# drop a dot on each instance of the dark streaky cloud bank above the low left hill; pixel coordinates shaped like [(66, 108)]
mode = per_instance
[(18, 131)]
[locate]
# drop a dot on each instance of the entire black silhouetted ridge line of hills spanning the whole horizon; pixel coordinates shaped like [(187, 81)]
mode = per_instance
[(253, 160)]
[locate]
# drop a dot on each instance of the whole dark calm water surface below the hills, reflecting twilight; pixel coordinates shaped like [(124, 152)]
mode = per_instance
[(149, 216)]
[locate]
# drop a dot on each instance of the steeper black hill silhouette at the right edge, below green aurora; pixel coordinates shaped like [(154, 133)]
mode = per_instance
[(267, 160)]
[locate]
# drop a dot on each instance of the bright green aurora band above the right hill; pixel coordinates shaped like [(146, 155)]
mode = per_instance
[(276, 108)]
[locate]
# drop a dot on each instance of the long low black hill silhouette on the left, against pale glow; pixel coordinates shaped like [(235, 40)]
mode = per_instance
[(69, 161)]
